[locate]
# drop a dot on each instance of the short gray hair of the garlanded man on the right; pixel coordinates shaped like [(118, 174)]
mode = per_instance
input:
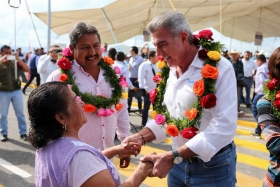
[(174, 22)]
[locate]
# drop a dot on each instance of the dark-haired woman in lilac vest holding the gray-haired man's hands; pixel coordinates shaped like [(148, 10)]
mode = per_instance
[(56, 114)]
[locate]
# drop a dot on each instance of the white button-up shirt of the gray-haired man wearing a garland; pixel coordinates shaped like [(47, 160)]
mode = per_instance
[(218, 124)]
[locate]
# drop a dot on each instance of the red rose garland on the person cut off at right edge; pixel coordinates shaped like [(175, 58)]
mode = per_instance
[(273, 94)]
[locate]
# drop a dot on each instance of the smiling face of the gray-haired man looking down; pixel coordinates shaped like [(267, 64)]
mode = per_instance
[(172, 50)]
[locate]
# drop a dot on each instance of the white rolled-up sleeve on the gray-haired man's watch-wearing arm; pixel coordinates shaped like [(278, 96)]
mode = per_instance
[(222, 126)]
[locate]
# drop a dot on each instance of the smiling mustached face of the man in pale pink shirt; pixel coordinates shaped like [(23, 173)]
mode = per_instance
[(87, 51)]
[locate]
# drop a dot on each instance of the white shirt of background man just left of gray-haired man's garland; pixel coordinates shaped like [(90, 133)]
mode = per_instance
[(145, 75)]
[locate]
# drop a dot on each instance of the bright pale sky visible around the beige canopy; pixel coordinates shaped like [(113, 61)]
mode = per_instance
[(26, 36)]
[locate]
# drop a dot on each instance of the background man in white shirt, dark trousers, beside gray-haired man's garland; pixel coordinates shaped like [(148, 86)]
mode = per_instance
[(146, 72)]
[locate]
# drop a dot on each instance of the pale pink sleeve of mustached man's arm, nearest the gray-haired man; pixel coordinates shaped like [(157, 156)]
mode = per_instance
[(123, 125)]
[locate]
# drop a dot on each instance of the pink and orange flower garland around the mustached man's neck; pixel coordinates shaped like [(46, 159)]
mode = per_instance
[(99, 103)]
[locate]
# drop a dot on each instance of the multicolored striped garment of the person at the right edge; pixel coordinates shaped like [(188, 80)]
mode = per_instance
[(271, 131)]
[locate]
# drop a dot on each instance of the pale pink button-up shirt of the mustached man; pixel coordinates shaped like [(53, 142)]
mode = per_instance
[(99, 131)]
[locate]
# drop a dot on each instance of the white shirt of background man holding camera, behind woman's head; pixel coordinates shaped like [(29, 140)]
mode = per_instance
[(45, 67)]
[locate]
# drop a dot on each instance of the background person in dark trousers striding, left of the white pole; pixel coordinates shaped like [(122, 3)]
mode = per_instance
[(33, 61)]
